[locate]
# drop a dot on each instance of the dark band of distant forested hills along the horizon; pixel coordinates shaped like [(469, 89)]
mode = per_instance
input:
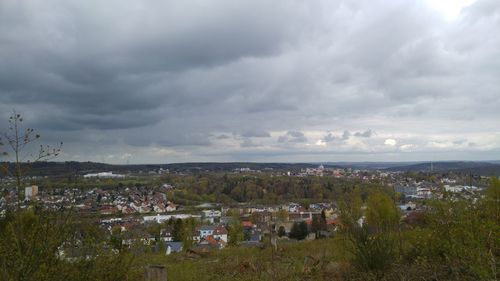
[(73, 167)]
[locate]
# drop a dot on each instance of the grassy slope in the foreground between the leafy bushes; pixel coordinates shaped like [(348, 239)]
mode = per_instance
[(305, 260)]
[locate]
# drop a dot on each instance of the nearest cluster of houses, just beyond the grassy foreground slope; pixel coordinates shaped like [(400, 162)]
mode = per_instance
[(256, 222)]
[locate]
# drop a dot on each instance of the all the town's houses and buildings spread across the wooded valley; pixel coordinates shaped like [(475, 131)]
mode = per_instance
[(256, 221)]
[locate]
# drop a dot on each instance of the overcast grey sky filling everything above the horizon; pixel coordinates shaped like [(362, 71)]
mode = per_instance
[(290, 81)]
